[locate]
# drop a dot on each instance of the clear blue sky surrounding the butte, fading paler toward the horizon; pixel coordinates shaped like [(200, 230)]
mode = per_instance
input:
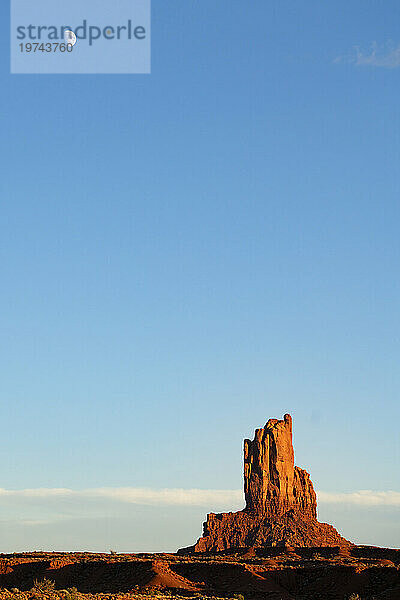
[(188, 253)]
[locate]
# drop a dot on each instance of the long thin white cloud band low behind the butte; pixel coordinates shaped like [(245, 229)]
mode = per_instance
[(210, 499)]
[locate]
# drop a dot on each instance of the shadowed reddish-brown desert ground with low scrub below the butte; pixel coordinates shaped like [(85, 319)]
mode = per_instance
[(360, 572)]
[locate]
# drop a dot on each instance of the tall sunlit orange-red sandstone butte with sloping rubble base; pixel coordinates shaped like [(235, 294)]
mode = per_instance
[(281, 505)]
